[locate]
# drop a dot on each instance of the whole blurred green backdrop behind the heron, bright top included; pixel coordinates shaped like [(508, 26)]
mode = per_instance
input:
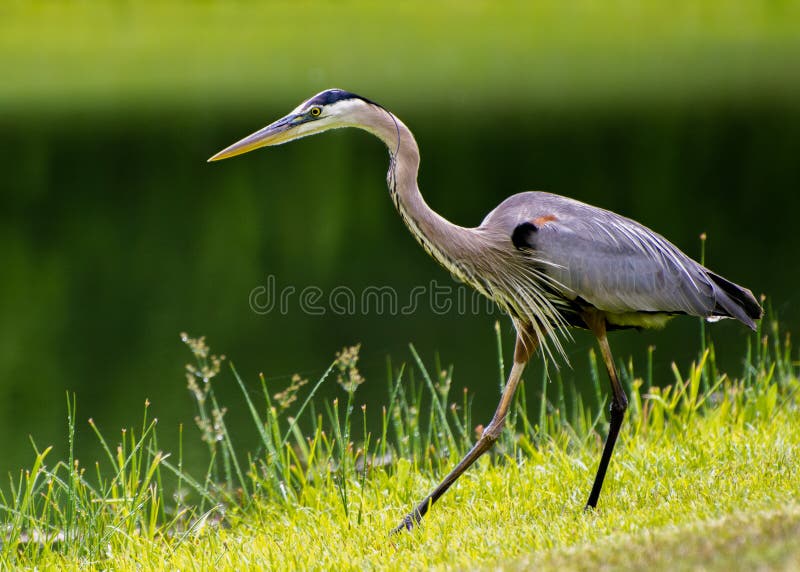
[(115, 235)]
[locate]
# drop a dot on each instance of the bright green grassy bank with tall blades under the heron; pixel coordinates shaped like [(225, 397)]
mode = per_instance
[(704, 476)]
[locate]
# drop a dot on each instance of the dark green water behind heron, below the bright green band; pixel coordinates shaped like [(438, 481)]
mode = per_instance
[(115, 235)]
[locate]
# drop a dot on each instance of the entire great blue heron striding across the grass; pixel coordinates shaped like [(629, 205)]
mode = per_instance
[(548, 261)]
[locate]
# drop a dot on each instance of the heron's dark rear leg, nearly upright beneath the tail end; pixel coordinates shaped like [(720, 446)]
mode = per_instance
[(619, 403)]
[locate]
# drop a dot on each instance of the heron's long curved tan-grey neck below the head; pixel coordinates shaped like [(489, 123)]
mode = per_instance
[(448, 243)]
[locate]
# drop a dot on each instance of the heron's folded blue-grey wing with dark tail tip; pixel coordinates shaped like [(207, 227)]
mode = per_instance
[(615, 263)]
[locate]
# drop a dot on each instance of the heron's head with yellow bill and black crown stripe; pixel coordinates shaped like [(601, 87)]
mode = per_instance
[(329, 109)]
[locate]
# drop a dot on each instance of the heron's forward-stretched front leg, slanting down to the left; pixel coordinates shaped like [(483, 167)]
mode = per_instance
[(490, 434)]
